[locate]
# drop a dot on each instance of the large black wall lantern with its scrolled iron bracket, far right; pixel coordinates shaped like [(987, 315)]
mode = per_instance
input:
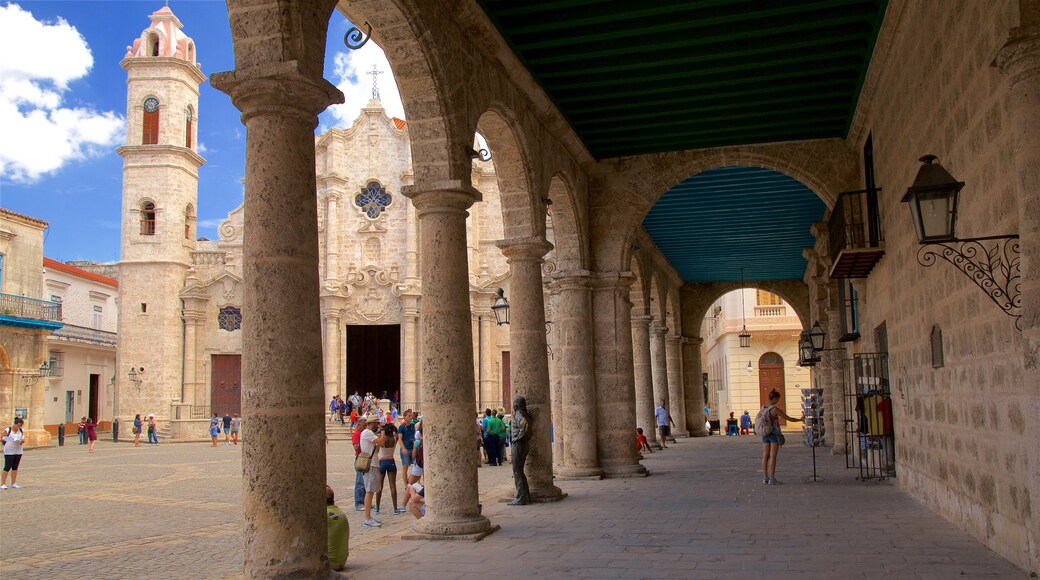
[(992, 262)]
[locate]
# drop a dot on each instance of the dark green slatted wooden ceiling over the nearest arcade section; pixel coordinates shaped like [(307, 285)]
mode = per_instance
[(643, 77)]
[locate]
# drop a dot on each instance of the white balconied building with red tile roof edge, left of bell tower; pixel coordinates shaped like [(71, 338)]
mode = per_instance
[(83, 353)]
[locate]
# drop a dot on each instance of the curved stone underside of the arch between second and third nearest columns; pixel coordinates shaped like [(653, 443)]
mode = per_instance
[(522, 218)]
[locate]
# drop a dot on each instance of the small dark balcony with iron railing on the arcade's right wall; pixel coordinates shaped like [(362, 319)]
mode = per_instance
[(856, 243)]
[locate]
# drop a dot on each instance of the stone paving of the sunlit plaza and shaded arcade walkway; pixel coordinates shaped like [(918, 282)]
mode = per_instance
[(175, 512)]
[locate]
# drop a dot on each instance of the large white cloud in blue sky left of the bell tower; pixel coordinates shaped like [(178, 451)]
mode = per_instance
[(40, 137)]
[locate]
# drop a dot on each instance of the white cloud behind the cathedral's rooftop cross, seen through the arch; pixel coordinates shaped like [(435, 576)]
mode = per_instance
[(349, 74)]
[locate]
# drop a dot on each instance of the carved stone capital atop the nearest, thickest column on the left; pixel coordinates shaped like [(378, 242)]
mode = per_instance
[(277, 89)]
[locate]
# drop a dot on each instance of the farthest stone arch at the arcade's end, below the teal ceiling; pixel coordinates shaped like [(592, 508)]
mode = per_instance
[(698, 298)]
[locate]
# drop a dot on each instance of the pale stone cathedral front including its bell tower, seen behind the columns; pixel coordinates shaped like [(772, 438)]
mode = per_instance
[(181, 296)]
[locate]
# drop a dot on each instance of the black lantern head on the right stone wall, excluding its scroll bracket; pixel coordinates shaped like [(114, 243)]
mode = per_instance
[(933, 202)]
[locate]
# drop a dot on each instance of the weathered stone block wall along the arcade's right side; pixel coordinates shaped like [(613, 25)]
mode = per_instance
[(963, 431)]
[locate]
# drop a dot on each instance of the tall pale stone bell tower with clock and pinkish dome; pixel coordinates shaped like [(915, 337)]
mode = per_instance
[(161, 191)]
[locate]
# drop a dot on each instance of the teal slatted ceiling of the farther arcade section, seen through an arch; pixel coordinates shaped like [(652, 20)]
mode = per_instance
[(721, 221)]
